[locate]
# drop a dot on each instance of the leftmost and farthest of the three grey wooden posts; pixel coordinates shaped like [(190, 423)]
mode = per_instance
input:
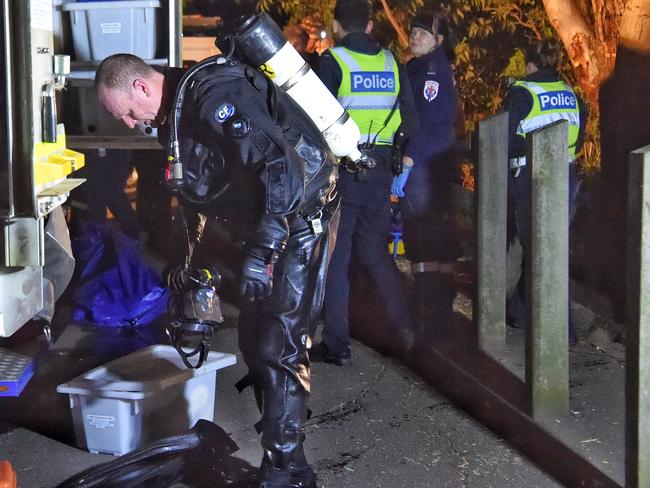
[(492, 185)]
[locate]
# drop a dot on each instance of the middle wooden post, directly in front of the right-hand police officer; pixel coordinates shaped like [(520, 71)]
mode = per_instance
[(547, 358)]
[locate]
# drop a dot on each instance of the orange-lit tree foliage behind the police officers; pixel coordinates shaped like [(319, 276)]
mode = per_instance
[(491, 35)]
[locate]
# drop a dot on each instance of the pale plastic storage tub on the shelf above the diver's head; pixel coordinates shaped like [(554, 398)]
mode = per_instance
[(100, 29)]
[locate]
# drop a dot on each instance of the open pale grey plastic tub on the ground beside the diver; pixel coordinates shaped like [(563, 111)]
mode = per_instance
[(142, 397)]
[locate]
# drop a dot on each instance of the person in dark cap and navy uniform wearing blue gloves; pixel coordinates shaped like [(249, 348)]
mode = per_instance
[(429, 235)]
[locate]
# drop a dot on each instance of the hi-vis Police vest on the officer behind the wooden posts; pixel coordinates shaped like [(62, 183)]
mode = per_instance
[(552, 101)]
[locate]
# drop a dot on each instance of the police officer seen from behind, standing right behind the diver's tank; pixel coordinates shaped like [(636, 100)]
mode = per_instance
[(368, 82)]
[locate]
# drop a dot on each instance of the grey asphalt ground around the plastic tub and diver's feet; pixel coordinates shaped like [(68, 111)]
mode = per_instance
[(374, 423)]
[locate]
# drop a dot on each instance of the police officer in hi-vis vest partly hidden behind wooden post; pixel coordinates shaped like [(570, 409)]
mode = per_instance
[(528, 106)]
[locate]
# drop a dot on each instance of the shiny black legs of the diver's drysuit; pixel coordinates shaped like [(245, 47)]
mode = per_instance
[(273, 340)]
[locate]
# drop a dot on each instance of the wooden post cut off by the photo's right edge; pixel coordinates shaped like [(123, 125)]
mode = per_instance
[(637, 344)]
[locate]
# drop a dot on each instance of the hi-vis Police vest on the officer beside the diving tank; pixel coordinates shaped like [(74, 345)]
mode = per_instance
[(369, 91)]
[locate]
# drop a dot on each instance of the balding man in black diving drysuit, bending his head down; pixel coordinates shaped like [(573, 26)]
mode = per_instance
[(253, 152)]
